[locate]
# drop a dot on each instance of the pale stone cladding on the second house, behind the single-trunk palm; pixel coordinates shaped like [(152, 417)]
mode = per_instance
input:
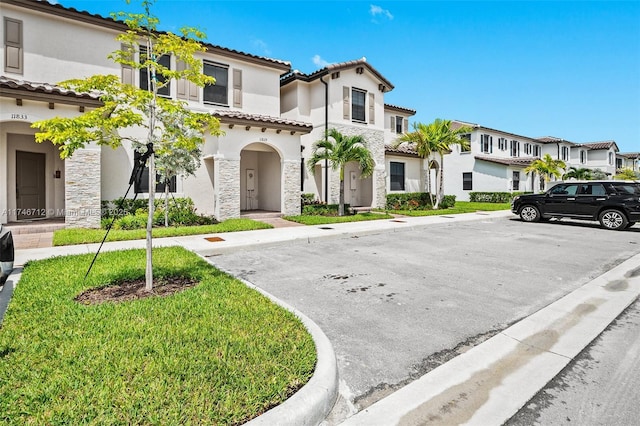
[(375, 143)]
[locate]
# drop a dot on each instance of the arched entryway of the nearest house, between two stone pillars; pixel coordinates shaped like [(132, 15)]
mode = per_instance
[(260, 178)]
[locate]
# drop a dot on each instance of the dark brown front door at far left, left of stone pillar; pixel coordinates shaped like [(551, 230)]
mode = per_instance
[(30, 190)]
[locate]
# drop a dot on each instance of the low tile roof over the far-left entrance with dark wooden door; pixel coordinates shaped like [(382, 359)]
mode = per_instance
[(22, 89)]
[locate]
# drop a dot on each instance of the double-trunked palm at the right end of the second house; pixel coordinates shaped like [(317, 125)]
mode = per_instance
[(436, 137)]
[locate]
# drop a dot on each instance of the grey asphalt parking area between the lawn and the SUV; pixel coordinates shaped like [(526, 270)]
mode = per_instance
[(397, 304)]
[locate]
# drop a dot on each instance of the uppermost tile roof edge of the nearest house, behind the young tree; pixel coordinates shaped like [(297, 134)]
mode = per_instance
[(95, 19)]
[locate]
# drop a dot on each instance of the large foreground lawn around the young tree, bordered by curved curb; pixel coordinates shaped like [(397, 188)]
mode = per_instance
[(217, 353)]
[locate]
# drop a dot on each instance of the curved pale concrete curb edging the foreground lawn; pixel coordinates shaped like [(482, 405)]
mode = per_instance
[(313, 402)]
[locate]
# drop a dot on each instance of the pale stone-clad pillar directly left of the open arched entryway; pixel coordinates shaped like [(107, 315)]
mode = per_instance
[(227, 188)]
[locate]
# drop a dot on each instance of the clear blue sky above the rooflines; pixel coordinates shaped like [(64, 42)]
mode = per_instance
[(560, 68)]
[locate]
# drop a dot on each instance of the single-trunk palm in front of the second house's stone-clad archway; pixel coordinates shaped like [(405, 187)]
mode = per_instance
[(342, 150)]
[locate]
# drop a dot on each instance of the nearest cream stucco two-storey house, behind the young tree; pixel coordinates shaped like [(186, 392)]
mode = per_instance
[(254, 165)]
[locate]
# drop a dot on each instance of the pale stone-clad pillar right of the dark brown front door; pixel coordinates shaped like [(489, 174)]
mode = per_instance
[(82, 189)]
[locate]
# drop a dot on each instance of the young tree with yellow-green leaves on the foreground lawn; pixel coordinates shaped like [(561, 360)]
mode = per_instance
[(173, 133)]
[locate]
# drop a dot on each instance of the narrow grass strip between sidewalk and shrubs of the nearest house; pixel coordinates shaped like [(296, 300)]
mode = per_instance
[(65, 237)]
